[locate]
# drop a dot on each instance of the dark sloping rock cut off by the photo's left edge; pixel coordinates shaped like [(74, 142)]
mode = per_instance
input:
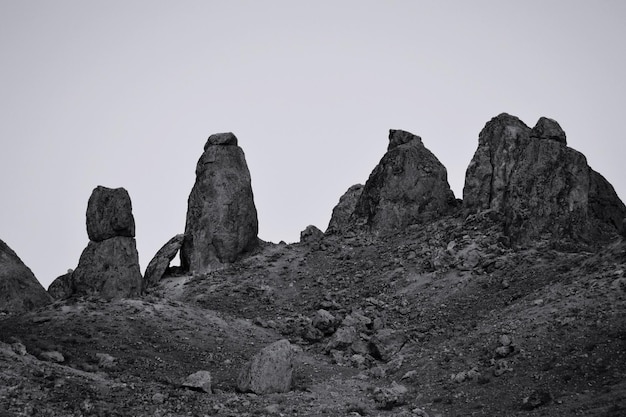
[(19, 289)]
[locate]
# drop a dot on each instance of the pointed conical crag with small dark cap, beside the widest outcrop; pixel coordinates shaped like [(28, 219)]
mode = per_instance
[(408, 186)]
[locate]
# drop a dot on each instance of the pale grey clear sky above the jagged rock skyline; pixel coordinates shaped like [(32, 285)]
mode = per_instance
[(125, 94)]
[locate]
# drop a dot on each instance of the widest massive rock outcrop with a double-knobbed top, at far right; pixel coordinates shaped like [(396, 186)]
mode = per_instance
[(542, 187)]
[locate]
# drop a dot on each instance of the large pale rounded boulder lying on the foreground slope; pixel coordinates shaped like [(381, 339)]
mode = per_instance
[(269, 371)]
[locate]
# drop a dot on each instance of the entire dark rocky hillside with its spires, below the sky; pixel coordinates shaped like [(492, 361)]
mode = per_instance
[(511, 303)]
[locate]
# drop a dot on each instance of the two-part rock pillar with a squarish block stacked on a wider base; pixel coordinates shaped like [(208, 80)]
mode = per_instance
[(109, 266)]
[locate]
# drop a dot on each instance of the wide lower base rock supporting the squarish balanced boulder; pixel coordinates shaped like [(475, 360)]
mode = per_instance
[(109, 269)]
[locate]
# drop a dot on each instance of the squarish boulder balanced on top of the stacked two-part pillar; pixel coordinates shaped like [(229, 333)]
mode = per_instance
[(109, 214)]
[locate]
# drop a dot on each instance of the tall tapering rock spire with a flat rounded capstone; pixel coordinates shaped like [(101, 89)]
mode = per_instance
[(221, 216)]
